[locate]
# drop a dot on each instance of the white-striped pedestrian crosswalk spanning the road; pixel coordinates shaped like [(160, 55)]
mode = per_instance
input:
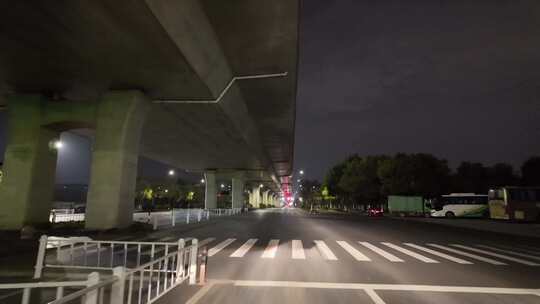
[(366, 252)]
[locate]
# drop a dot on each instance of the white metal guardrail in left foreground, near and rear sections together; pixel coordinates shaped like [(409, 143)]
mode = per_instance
[(168, 265)]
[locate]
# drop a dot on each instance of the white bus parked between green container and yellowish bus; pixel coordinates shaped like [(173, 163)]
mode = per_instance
[(460, 205)]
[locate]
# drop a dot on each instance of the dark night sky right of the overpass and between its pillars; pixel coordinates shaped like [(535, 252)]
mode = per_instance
[(457, 79)]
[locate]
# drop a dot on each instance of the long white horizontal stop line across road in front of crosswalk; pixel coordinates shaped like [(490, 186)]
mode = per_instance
[(396, 287)]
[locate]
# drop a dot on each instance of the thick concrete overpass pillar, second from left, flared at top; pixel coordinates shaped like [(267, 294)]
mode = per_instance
[(119, 120)]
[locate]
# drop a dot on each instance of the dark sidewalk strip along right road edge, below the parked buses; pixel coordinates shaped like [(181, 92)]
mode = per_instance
[(502, 227)]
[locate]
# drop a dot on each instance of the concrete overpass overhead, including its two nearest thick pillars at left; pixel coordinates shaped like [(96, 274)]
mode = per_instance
[(163, 67)]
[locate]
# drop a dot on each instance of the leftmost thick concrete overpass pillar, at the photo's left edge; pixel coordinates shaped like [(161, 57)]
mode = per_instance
[(26, 191)]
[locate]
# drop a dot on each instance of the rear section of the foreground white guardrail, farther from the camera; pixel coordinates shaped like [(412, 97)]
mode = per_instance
[(85, 253)]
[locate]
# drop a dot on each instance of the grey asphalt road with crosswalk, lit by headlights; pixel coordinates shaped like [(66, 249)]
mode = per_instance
[(289, 256)]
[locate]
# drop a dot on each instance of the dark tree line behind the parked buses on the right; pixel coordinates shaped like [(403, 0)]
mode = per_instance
[(370, 179)]
